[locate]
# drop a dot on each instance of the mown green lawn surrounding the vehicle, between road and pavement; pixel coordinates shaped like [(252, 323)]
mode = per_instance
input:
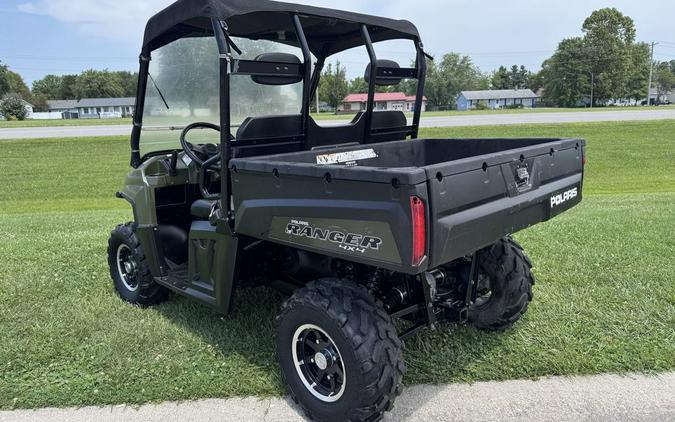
[(604, 301)]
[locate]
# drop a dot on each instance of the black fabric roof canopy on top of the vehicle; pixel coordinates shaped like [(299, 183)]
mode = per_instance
[(328, 31)]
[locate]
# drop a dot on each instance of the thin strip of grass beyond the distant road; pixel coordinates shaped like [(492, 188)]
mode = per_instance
[(328, 116)]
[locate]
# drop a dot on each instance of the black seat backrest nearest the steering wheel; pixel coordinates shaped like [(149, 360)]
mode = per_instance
[(268, 135)]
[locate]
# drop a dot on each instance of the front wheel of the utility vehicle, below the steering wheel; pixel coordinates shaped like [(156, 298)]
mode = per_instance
[(129, 269)]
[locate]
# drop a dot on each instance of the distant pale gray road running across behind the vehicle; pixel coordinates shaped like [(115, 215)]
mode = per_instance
[(447, 121)]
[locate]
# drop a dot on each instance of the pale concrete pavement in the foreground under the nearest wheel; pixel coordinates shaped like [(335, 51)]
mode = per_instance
[(596, 399)]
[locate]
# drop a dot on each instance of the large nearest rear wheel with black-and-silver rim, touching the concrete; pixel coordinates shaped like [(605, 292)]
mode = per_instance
[(339, 352)]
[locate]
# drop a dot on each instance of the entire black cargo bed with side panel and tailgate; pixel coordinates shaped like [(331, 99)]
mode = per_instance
[(475, 191)]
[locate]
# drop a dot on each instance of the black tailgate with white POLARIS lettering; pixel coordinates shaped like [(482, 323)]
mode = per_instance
[(476, 201)]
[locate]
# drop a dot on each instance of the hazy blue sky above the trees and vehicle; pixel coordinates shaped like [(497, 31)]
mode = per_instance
[(68, 36)]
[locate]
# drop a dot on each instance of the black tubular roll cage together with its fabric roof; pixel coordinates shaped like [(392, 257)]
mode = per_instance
[(250, 18)]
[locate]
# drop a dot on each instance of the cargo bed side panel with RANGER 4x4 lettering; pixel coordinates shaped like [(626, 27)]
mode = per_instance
[(358, 221)]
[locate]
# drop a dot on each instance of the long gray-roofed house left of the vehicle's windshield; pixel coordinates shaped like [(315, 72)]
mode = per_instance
[(94, 108)]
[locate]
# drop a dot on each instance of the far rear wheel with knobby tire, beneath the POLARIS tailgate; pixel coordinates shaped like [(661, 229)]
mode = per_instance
[(504, 286)]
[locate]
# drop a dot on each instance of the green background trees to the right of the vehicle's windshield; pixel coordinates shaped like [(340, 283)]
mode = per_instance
[(605, 63)]
